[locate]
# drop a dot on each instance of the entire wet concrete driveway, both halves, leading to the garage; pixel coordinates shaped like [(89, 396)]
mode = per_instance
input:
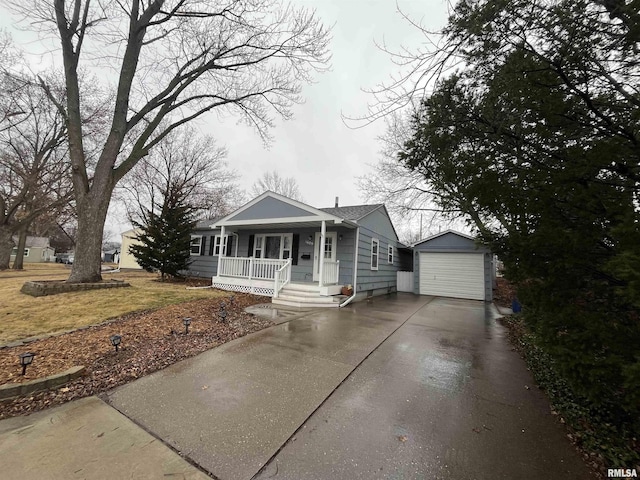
[(404, 387)]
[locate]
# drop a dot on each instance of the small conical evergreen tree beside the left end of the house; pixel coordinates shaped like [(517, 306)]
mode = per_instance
[(165, 236)]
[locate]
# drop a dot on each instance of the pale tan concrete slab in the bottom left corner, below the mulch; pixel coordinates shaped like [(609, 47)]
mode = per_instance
[(85, 439)]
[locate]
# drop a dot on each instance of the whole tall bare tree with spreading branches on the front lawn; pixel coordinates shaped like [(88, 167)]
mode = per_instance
[(175, 61)]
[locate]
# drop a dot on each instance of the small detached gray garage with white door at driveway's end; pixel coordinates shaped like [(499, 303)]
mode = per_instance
[(450, 264)]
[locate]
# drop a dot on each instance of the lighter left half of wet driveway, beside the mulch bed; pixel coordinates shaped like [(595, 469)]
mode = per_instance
[(229, 410)]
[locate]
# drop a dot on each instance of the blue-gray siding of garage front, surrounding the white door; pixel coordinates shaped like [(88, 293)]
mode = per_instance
[(452, 243)]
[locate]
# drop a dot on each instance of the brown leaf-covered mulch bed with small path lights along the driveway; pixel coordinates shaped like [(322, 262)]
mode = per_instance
[(151, 340)]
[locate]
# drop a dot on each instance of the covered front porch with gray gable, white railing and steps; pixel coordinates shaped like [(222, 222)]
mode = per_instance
[(274, 244)]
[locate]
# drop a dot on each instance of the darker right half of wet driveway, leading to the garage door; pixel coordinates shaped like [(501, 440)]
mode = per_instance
[(444, 397)]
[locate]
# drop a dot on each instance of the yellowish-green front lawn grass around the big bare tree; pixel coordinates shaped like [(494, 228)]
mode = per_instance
[(23, 316)]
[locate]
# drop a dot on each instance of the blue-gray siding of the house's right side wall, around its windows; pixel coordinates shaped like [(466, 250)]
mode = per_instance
[(386, 276)]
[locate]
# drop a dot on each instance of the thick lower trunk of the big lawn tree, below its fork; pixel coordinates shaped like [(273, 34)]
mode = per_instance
[(92, 214)]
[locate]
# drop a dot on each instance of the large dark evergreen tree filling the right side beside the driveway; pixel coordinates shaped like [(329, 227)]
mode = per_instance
[(535, 140)]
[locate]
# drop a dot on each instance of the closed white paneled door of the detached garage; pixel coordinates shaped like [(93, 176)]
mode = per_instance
[(458, 275)]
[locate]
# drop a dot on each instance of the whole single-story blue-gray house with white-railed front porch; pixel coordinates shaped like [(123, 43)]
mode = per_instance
[(298, 254)]
